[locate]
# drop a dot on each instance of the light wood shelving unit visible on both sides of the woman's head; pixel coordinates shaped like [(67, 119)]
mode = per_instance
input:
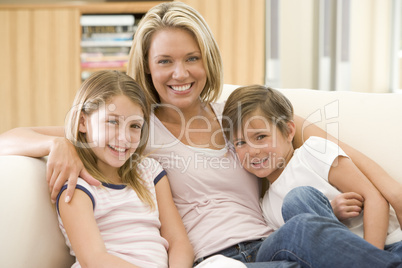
[(40, 52)]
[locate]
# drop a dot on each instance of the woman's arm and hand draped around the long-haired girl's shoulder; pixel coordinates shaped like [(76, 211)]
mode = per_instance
[(63, 162)]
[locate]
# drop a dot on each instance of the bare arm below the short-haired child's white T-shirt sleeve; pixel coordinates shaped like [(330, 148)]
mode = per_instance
[(345, 176)]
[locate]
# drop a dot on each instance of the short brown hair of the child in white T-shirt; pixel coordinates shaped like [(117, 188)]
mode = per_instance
[(246, 101)]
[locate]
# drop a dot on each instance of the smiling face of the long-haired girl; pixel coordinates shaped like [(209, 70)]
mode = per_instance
[(113, 131)]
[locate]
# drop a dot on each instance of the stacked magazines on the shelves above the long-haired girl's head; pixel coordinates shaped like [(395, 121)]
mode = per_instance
[(105, 42)]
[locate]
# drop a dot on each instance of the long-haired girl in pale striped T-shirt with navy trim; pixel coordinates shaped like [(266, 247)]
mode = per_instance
[(130, 220)]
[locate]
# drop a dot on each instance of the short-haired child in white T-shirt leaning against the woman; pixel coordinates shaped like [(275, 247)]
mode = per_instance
[(259, 122)]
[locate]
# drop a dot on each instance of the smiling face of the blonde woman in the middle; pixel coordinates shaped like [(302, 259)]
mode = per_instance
[(176, 67)]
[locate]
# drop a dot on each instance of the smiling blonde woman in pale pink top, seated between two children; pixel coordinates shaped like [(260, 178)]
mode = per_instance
[(175, 59)]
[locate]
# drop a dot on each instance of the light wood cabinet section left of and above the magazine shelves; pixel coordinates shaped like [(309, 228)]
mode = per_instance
[(40, 52)]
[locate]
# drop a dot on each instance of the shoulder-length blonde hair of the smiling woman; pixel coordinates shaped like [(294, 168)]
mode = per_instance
[(175, 15)]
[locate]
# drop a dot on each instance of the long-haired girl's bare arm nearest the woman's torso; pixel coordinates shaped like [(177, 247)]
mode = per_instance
[(180, 250)]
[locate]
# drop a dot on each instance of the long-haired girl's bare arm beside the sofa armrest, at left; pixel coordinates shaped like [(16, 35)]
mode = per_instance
[(83, 233)]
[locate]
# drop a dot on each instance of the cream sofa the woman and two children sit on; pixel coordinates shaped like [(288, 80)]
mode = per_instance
[(29, 234)]
